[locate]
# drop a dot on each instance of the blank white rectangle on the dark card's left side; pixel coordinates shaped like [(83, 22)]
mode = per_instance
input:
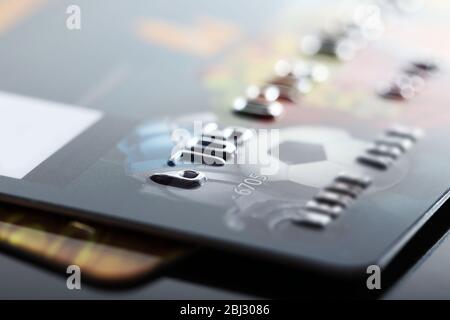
[(31, 130)]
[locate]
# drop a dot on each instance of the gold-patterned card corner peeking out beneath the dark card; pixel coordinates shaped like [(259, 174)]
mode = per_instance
[(105, 255)]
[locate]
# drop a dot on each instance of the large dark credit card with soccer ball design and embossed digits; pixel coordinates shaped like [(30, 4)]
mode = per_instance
[(306, 133)]
